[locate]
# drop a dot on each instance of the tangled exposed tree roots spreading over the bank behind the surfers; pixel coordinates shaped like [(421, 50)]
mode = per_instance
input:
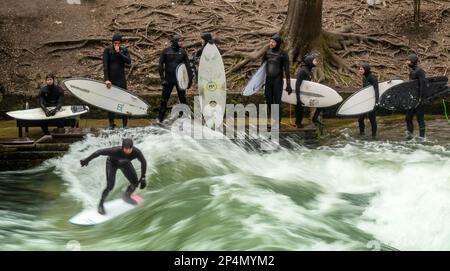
[(243, 39)]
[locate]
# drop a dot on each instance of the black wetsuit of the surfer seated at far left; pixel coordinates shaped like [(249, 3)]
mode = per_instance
[(51, 96)]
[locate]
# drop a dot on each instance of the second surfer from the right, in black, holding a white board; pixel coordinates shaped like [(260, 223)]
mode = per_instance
[(369, 80)]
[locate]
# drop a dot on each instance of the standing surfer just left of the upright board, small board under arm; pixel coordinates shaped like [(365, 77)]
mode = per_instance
[(168, 62)]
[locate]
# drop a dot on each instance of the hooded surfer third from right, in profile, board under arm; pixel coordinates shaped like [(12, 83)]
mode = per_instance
[(305, 73)]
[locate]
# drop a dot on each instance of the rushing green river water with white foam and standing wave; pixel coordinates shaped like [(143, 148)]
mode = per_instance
[(343, 194)]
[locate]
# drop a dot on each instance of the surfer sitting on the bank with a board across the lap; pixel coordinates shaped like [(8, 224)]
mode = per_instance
[(51, 95)]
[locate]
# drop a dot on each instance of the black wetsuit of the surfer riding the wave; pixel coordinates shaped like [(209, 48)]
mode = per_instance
[(117, 159)]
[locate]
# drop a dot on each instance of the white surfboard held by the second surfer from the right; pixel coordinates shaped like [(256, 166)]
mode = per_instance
[(363, 101)]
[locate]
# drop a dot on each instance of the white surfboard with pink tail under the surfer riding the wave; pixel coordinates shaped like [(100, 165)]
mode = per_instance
[(113, 209)]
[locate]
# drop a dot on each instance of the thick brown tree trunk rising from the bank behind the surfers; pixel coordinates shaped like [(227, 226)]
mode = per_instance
[(302, 27)]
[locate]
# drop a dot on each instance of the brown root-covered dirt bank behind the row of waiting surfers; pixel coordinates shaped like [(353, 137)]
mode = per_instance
[(52, 35)]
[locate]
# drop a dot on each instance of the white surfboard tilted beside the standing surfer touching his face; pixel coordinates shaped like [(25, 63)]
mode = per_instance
[(114, 99)]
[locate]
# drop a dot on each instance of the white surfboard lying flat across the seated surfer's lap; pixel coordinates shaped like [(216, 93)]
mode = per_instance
[(66, 111)]
